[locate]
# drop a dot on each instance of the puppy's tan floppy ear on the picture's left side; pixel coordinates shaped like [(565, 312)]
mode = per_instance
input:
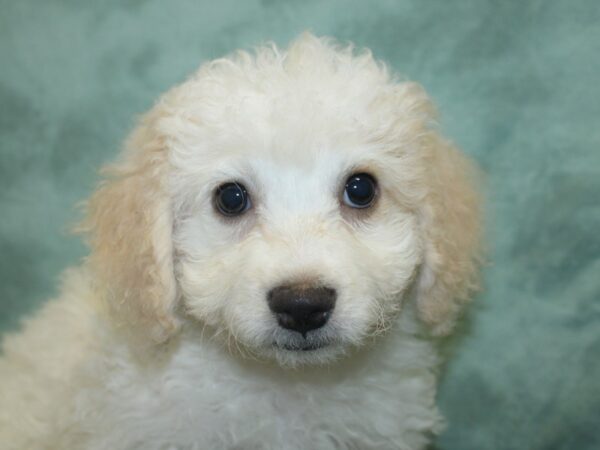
[(129, 225)]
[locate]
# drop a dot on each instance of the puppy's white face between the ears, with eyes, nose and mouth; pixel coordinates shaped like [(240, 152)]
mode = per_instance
[(293, 235)]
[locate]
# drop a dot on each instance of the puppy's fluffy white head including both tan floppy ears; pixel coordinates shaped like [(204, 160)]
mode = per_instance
[(288, 201)]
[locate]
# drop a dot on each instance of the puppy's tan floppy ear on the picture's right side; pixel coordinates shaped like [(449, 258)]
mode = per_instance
[(451, 220)]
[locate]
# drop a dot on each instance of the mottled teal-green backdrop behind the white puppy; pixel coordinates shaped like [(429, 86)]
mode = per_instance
[(517, 85)]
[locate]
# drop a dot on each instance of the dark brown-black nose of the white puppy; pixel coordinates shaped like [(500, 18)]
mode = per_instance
[(302, 308)]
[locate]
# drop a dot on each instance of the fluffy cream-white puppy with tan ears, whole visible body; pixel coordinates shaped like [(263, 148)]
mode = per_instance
[(273, 258)]
